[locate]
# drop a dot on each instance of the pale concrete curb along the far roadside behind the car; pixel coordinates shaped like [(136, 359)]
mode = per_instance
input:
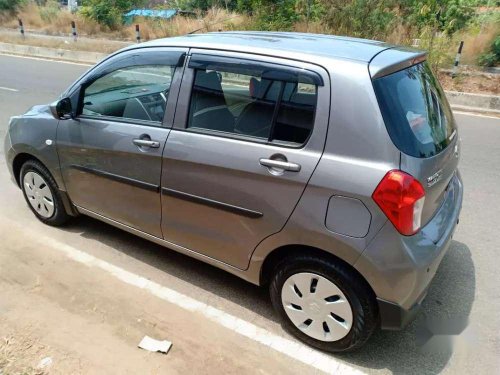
[(458, 100)]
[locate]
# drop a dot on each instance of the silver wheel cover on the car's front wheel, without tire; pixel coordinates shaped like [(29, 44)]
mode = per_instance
[(39, 194)]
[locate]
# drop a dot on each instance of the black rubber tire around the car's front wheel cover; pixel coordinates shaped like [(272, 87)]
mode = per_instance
[(59, 217)]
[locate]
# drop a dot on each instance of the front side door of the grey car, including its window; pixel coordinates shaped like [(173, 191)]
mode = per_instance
[(110, 151)]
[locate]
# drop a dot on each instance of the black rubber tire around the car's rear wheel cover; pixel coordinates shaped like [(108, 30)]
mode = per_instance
[(357, 291)]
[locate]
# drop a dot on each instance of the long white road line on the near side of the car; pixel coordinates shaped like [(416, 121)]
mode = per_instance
[(294, 350)]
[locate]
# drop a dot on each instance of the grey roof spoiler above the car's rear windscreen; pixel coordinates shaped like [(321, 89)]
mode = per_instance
[(393, 60)]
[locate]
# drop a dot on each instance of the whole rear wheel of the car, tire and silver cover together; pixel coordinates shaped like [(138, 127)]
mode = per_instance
[(324, 303)]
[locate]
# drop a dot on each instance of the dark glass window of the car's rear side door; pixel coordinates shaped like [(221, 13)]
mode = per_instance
[(261, 104)]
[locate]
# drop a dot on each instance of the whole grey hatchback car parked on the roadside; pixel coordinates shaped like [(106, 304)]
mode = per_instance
[(322, 167)]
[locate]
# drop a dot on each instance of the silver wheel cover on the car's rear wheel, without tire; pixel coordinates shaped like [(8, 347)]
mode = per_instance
[(317, 307)]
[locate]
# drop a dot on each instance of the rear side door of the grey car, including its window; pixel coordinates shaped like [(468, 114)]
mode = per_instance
[(247, 137)]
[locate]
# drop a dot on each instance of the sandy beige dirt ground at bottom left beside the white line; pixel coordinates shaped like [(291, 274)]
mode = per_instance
[(93, 323)]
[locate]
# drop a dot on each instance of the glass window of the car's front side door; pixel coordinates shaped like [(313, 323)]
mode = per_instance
[(137, 92)]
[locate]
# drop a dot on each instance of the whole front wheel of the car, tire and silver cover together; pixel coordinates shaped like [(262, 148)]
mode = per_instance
[(41, 194)]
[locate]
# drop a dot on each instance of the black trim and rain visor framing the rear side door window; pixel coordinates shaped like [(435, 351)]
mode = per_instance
[(232, 61)]
